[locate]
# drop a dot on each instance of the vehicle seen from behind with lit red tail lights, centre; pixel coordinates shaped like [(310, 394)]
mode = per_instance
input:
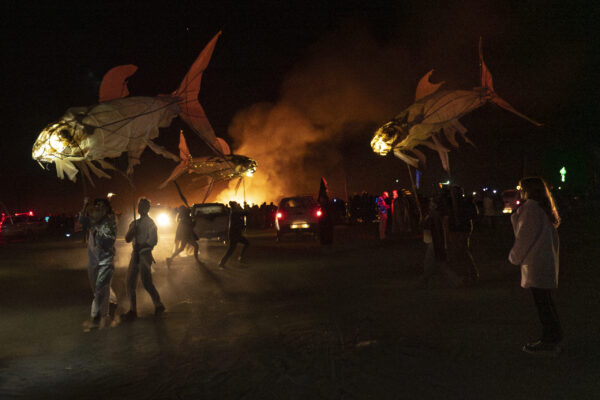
[(296, 215)]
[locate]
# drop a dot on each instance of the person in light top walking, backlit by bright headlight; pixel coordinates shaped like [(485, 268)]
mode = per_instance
[(143, 233)]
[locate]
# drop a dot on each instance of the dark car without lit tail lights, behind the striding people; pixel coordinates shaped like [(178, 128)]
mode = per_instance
[(211, 220)]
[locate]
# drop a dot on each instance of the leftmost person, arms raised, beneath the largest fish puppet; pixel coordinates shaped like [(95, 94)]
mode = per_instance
[(102, 231)]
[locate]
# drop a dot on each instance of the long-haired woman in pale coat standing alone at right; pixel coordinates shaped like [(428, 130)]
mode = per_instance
[(536, 251)]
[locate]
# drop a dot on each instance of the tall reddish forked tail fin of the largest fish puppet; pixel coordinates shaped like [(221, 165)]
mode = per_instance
[(191, 110)]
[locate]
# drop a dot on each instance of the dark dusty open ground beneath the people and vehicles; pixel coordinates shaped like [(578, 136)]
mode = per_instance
[(300, 322)]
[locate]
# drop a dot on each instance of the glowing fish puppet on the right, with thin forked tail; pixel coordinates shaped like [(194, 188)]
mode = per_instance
[(433, 114)]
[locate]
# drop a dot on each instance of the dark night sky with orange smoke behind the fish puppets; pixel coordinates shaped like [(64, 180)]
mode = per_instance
[(341, 68)]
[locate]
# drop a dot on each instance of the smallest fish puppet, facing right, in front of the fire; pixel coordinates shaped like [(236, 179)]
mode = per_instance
[(225, 166)]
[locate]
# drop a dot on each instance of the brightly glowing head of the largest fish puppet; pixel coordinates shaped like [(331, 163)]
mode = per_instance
[(57, 142)]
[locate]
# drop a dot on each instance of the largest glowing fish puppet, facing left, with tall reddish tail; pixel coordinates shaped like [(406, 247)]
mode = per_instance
[(118, 124)]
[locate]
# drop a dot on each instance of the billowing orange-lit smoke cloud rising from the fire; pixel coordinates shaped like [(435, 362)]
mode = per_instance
[(347, 84)]
